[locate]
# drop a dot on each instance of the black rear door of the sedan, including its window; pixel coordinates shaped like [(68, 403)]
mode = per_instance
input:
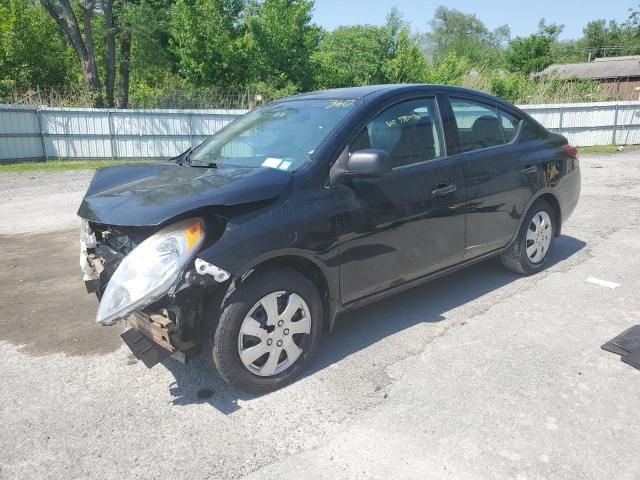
[(501, 171)]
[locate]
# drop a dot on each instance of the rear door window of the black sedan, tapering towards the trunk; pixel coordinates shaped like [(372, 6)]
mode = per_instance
[(482, 126)]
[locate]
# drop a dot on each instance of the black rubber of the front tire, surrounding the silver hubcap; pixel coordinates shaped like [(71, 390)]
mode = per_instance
[(221, 348)]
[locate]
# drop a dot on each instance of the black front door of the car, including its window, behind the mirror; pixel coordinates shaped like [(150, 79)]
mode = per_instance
[(409, 223)]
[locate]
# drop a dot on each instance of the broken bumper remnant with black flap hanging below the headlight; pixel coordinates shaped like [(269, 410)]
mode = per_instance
[(149, 338)]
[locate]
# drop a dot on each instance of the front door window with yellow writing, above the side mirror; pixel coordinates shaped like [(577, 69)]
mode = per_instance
[(409, 132)]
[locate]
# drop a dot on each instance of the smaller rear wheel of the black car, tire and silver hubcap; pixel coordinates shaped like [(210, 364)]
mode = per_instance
[(529, 251)]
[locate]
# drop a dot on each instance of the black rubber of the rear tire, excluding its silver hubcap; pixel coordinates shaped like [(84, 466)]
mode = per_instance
[(515, 257)]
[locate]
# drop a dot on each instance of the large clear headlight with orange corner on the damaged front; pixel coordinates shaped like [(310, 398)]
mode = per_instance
[(150, 270)]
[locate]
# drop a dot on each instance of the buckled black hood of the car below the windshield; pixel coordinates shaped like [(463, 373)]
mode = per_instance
[(151, 194)]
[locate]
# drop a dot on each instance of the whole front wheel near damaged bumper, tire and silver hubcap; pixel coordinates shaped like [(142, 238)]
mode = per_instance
[(268, 330)]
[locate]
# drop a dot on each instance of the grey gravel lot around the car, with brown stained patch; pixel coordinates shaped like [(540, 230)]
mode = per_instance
[(482, 374)]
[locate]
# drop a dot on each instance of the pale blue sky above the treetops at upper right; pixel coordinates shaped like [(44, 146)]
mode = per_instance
[(521, 16)]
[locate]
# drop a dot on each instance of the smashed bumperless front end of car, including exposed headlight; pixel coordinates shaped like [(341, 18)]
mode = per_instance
[(152, 280)]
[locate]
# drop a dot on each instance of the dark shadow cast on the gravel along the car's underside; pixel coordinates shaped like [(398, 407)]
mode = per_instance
[(354, 331)]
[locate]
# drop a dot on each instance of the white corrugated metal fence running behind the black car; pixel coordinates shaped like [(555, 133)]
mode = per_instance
[(101, 133)]
